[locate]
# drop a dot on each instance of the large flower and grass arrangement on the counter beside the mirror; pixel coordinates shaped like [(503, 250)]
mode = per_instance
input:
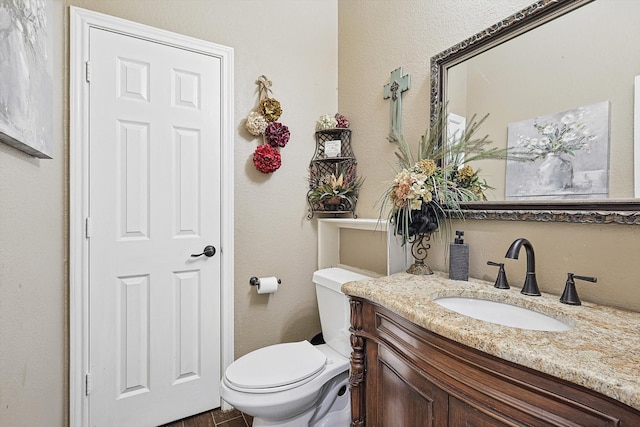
[(428, 190)]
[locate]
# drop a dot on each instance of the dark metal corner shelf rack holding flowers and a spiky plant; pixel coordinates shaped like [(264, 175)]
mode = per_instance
[(333, 181)]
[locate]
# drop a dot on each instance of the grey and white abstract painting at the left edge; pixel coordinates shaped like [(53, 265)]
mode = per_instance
[(25, 77)]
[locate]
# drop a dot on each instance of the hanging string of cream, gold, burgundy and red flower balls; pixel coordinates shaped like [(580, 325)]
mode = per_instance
[(266, 157)]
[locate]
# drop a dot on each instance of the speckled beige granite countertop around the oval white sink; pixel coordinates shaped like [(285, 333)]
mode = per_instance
[(601, 352)]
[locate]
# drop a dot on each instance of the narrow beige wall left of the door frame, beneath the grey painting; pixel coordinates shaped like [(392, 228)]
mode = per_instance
[(33, 256)]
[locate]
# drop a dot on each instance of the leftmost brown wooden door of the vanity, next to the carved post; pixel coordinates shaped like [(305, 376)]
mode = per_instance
[(406, 398)]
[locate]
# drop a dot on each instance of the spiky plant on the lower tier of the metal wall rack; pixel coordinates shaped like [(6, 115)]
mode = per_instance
[(334, 189)]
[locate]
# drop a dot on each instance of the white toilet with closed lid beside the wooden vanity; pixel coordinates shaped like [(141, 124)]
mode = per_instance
[(298, 384)]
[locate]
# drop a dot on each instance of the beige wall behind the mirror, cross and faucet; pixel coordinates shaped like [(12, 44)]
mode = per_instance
[(375, 38)]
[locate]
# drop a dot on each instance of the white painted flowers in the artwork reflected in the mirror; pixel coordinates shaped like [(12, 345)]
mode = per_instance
[(564, 137)]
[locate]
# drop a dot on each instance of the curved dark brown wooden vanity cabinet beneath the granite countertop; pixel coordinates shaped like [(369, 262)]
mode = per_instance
[(404, 375)]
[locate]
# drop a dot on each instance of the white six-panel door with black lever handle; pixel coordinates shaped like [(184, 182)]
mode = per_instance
[(154, 190)]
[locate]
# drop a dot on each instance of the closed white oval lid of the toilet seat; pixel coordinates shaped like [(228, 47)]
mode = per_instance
[(276, 366)]
